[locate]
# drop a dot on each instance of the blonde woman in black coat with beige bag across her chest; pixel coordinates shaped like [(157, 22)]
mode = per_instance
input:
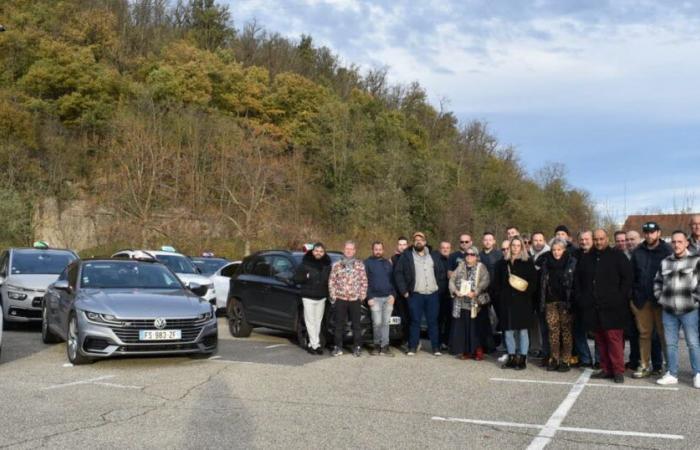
[(515, 284)]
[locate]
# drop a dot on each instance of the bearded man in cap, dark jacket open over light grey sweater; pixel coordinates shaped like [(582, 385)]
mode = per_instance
[(418, 274)]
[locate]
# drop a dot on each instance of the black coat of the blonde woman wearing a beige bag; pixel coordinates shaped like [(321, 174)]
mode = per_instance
[(514, 307)]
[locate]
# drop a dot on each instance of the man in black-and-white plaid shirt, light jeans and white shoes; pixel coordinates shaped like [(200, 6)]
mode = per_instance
[(677, 289)]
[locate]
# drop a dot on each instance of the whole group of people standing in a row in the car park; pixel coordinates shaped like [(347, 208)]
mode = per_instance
[(556, 292)]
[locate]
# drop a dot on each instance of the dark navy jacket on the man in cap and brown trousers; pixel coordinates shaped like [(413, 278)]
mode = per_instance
[(645, 263)]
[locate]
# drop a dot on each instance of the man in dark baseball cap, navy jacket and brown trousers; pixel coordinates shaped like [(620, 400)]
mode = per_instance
[(646, 261)]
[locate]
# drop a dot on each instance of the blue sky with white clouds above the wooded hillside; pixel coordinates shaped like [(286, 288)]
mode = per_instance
[(611, 89)]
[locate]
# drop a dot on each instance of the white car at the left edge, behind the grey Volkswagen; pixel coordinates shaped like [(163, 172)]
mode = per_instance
[(25, 273)]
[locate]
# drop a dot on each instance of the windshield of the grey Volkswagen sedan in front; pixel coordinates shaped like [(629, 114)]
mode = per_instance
[(127, 275)]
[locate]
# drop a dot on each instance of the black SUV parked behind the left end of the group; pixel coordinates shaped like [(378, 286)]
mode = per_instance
[(263, 294)]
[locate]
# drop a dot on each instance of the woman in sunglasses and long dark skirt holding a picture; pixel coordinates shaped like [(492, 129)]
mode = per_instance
[(470, 321)]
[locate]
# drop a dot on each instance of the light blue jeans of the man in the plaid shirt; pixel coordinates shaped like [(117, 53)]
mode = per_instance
[(672, 324)]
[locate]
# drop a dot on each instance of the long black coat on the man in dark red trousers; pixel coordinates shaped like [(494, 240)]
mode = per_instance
[(602, 284)]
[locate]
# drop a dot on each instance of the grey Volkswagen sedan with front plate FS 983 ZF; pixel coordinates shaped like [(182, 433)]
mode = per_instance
[(107, 307)]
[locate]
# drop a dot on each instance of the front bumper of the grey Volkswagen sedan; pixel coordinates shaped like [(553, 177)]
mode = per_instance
[(101, 341)]
